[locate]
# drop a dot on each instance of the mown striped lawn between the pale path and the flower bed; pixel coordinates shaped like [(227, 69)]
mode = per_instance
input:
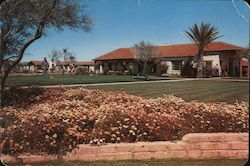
[(201, 90)]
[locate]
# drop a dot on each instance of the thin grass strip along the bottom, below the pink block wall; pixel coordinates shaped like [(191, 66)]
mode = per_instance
[(221, 162)]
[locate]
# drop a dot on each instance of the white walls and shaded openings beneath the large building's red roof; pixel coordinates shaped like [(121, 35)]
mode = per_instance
[(217, 59)]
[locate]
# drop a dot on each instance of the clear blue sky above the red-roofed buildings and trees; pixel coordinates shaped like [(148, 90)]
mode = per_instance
[(123, 23)]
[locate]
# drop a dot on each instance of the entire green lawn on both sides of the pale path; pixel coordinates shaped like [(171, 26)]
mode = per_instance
[(202, 90)]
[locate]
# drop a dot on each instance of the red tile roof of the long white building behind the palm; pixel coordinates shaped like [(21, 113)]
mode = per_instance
[(177, 50)]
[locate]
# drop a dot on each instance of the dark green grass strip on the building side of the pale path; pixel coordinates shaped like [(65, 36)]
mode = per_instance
[(75, 79)]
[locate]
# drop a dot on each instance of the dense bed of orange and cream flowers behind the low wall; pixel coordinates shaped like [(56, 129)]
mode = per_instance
[(55, 121)]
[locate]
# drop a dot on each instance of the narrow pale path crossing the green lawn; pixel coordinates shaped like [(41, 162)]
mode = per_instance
[(136, 82)]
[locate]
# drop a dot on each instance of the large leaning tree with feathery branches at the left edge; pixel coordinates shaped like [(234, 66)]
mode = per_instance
[(25, 21)]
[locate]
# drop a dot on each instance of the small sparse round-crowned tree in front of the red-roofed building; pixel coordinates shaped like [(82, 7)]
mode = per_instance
[(144, 53)]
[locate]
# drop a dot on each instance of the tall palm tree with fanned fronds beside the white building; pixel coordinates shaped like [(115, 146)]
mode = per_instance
[(202, 36)]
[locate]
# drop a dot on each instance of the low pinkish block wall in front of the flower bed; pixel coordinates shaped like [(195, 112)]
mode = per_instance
[(192, 146)]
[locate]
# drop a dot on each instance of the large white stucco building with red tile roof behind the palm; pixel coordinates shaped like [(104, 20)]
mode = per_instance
[(220, 59)]
